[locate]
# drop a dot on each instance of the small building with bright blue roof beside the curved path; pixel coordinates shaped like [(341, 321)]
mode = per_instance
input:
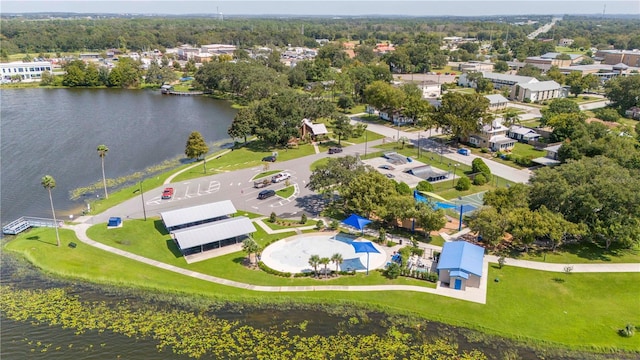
[(460, 264)]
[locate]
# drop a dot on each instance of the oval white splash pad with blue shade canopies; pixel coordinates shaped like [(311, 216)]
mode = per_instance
[(292, 254)]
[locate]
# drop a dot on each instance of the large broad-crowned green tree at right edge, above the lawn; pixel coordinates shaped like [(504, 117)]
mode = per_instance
[(596, 192)]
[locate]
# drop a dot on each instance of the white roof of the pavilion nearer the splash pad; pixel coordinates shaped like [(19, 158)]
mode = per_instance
[(212, 232)]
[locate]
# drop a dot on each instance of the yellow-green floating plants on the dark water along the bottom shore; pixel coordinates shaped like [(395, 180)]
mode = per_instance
[(197, 334)]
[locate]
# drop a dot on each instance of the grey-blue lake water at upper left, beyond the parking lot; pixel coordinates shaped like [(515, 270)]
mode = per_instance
[(56, 132)]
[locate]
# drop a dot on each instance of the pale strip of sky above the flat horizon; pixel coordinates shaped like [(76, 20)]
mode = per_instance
[(335, 8)]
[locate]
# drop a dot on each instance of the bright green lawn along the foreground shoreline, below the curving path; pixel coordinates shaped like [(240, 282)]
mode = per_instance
[(581, 311)]
